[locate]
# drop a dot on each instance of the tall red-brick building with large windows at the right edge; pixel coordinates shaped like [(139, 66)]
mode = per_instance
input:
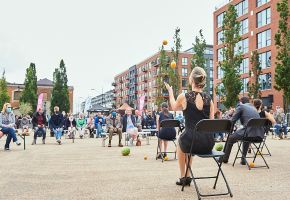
[(259, 23)]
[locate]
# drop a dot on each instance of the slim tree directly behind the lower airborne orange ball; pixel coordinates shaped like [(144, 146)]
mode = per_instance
[(173, 73)]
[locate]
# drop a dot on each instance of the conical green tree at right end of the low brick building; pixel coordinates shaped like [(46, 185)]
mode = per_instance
[(60, 93)]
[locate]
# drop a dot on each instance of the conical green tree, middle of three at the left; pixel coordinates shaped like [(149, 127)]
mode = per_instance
[(29, 94)]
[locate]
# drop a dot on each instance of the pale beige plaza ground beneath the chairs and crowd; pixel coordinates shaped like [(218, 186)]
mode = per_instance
[(86, 170)]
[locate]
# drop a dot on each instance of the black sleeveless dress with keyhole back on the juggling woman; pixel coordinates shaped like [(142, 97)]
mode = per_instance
[(202, 142)]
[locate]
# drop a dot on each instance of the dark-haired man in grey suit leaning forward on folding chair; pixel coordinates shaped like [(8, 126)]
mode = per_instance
[(244, 112)]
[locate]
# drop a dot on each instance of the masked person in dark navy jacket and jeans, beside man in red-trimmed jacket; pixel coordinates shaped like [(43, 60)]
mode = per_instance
[(56, 123)]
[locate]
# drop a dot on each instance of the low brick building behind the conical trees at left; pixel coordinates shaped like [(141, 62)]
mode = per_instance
[(44, 86)]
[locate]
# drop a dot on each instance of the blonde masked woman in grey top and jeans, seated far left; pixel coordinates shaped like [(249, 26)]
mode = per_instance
[(7, 124)]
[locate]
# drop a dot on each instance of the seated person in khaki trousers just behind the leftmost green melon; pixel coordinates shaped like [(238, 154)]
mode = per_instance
[(114, 126)]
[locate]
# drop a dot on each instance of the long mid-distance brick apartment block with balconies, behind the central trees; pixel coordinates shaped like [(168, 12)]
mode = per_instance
[(141, 79)]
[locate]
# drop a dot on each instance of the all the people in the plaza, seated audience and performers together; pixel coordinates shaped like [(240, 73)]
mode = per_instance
[(190, 108)]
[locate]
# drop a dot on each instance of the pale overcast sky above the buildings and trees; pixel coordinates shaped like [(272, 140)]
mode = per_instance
[(97, 39)]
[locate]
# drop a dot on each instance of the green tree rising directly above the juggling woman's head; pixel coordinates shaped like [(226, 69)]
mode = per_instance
[(198, 59)]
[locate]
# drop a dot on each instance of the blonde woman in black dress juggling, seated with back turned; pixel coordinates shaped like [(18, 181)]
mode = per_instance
[(196, 105)]
